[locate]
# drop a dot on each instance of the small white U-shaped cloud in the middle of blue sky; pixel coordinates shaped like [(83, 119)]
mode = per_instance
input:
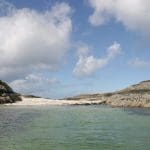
[(88, 64)]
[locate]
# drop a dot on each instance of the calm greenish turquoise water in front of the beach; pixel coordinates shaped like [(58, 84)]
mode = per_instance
[(74, 128)]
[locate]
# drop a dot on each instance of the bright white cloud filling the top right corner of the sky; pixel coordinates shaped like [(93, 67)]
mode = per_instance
[(133, 14)]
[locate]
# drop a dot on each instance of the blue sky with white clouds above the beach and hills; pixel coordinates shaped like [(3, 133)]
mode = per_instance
[(61, 48)]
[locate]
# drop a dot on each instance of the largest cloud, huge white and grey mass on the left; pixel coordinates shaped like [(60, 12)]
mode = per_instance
[(33, 41)]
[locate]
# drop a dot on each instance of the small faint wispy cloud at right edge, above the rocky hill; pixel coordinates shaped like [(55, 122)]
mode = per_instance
[(139, 63)]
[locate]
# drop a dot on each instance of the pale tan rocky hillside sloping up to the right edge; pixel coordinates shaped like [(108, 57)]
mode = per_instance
[(134, 96)]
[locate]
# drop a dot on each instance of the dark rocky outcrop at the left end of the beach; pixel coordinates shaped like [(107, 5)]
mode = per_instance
[(7, 95)]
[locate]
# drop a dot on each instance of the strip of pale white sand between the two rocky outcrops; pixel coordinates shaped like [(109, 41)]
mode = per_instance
[(41, 101)]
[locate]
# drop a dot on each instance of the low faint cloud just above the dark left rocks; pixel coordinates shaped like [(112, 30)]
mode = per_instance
[(34, 84)]
